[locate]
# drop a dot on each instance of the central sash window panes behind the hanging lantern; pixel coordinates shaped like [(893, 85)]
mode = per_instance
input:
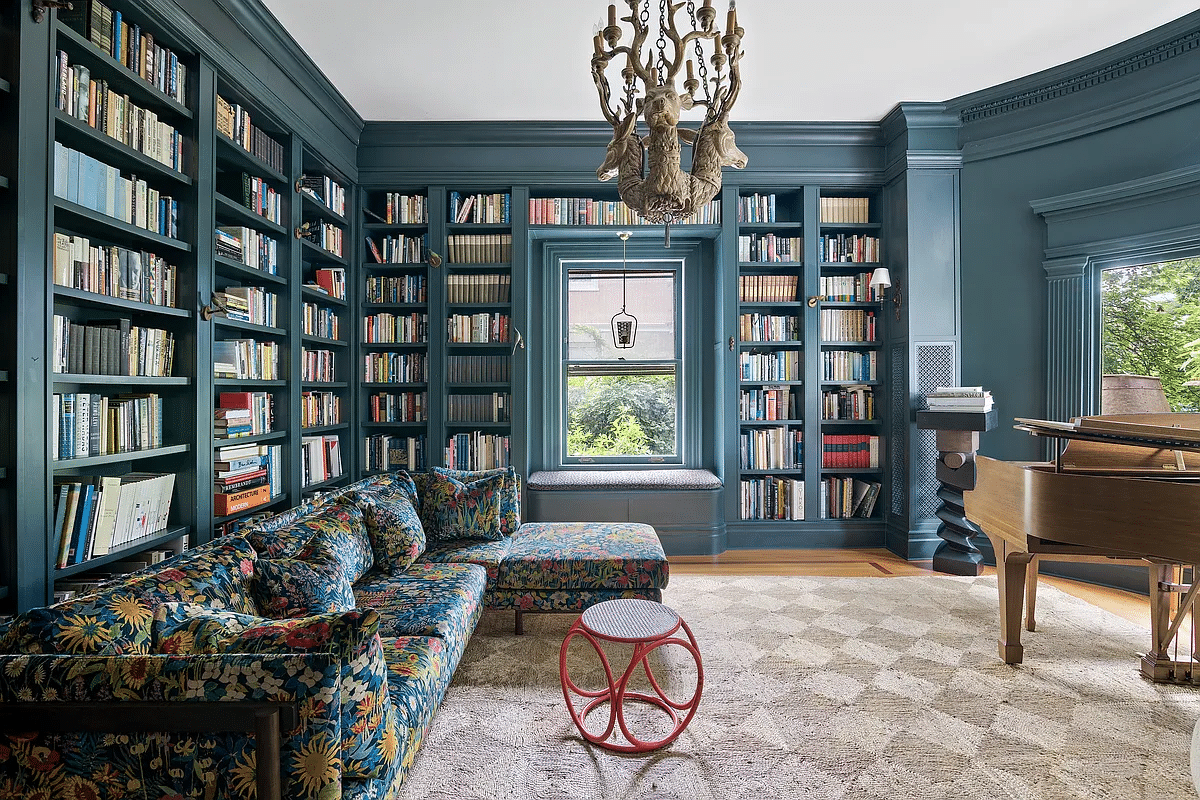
[(622, 406)]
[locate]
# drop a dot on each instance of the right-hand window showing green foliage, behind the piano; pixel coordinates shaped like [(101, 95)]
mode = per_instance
[(1150, 326)]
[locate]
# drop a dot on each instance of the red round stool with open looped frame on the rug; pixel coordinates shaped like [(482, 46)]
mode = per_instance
[(647, 625)]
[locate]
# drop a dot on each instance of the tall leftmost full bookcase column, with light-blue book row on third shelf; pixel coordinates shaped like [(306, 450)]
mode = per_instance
[(122, 339)]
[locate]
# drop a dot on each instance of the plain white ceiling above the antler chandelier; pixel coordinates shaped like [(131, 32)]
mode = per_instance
[(850, 62)]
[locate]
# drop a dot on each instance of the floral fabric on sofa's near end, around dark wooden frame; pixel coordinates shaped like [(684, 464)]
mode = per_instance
[(169, 766)]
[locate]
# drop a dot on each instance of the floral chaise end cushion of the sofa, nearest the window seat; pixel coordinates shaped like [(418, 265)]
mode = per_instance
[(583, 555)]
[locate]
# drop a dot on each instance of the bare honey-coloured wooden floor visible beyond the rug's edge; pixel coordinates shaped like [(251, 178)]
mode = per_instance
[(883, 564)]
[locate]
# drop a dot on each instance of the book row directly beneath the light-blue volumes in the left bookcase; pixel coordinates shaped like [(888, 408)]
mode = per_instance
[(113, 272)]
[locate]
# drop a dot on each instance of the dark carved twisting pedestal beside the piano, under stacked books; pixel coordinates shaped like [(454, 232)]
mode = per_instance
[(958, 438)]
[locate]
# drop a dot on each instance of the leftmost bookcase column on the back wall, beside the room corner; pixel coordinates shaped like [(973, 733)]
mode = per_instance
[(395, 340)]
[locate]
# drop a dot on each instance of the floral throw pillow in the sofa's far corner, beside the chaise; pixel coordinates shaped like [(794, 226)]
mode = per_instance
[(473, 504)]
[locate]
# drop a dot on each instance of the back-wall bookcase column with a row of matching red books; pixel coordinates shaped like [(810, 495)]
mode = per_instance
[(851, 330)]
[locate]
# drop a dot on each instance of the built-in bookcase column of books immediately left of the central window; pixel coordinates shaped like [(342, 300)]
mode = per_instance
[(478, 323)]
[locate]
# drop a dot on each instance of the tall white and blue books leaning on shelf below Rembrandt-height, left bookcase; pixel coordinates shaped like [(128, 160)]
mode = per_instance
[(98, 515)]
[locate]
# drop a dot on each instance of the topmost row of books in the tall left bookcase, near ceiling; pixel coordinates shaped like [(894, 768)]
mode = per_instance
[(124, 40)]
